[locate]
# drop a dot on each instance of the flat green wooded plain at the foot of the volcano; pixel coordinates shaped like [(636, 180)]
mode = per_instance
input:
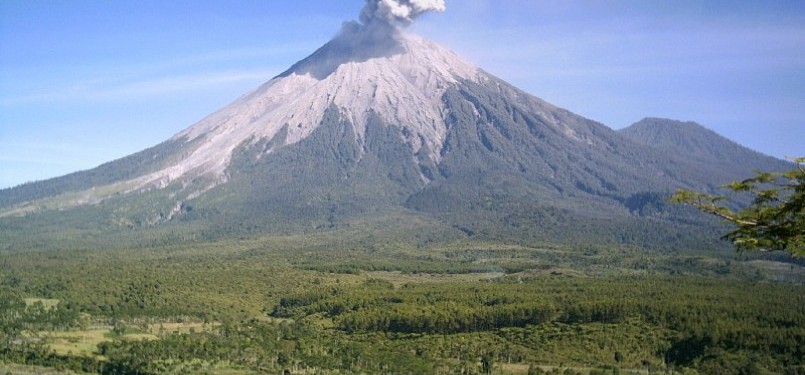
[(342, 302)]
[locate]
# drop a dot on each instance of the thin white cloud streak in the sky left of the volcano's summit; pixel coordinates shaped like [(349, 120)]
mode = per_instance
[(123, 80)]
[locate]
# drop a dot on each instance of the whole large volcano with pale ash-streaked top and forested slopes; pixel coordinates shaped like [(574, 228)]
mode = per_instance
[(391, 128)]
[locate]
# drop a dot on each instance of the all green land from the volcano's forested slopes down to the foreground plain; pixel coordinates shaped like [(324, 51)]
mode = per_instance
[(540, 242)]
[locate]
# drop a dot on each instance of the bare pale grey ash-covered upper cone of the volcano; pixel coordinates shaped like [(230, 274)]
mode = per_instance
[(402, 84)]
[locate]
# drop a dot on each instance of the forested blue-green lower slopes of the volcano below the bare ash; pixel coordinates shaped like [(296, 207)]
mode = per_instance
[(506, 174)]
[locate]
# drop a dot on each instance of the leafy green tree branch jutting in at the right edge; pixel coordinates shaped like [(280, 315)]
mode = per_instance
[(776, 218)]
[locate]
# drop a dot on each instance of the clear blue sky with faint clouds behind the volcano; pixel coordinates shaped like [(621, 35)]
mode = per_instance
[(83, 82)]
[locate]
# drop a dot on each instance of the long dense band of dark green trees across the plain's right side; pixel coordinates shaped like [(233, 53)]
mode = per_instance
[(461, 307)]
